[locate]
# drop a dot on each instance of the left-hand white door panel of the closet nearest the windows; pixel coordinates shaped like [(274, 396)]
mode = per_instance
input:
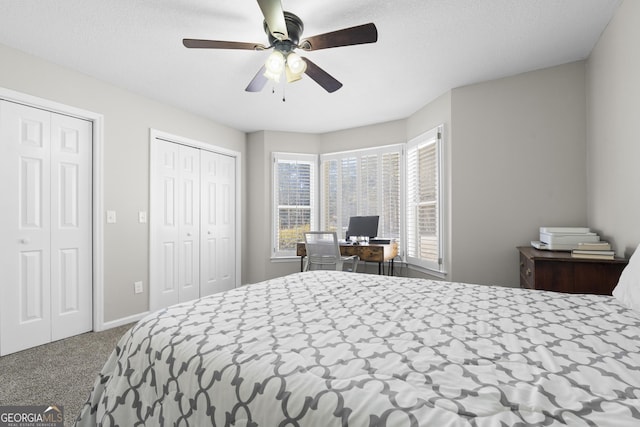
[(175, 220)]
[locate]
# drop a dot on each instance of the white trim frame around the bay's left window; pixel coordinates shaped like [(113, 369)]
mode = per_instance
[(312, 159)]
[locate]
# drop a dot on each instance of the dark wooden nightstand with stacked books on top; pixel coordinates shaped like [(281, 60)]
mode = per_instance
[(560, 272)]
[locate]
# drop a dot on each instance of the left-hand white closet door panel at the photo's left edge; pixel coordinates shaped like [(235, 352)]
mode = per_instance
[(24, 230)]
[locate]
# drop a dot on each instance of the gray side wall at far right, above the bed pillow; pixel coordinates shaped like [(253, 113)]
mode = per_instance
[(613, 82)]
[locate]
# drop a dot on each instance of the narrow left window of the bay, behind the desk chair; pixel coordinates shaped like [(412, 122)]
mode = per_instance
[(294, 205)]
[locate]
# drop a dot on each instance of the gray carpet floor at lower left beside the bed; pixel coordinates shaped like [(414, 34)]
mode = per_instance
[(60, 373)]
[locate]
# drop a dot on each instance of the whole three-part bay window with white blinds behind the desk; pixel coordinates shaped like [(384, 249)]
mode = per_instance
[(400, 183)]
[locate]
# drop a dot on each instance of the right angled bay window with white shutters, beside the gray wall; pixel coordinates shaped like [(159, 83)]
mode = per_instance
[(424, 210)]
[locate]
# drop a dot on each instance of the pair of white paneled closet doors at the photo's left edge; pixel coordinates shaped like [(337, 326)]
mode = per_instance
[(45, 232)]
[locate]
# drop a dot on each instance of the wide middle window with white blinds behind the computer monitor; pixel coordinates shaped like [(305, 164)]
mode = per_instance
[(362, 182)]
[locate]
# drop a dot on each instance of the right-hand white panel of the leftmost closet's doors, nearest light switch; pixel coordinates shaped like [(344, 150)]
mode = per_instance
[(71, 255)]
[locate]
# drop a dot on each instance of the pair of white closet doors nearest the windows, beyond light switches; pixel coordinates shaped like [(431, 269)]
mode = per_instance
[(193, 223)]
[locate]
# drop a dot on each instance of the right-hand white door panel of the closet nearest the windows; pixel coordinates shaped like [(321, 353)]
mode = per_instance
[(217, 270)]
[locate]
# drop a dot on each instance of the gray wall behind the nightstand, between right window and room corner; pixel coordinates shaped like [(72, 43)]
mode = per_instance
[(518, 156)]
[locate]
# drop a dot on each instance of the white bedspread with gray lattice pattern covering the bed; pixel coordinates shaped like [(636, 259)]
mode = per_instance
[(332, 348)]
